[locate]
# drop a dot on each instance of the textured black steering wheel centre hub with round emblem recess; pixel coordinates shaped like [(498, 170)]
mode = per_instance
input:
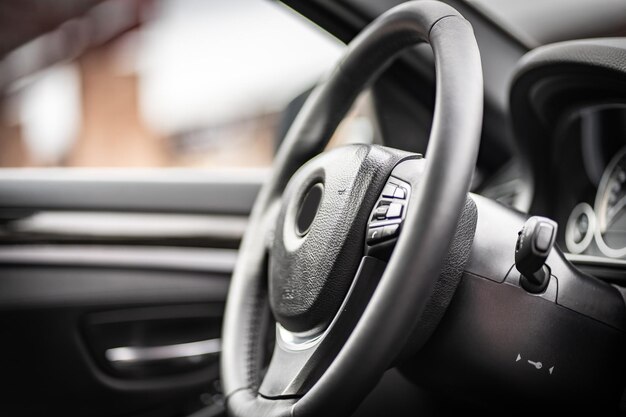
[(319, 237)]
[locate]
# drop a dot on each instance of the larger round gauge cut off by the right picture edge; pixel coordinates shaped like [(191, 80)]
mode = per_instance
[(610, 208)]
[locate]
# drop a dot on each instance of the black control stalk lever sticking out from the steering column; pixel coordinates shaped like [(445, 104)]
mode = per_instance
[(534, 243)]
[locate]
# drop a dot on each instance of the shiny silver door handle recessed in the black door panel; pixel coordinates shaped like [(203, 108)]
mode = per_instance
[(136, 355)]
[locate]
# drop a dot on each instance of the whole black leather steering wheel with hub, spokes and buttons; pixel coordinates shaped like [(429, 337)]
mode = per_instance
[(308, 259)]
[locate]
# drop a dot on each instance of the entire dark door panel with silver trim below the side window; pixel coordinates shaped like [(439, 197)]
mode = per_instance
[(70, 307)]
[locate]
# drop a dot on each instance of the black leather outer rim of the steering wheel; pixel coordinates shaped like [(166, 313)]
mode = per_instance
[(431, 218)]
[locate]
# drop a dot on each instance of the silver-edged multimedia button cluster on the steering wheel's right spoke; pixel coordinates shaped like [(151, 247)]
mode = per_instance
[(388, 214)]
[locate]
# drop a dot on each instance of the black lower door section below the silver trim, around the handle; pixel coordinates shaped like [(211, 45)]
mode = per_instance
[(54, 324)]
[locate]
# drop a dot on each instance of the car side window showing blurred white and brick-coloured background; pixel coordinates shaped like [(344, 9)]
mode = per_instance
[(198, 83)]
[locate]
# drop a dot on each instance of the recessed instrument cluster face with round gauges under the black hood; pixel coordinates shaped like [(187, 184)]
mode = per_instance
[(589, 188)]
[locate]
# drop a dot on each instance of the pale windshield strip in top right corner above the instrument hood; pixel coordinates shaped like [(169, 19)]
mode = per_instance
[(538, 22)]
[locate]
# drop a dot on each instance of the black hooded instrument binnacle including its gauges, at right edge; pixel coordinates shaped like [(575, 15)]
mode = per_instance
[(568, 112)]
